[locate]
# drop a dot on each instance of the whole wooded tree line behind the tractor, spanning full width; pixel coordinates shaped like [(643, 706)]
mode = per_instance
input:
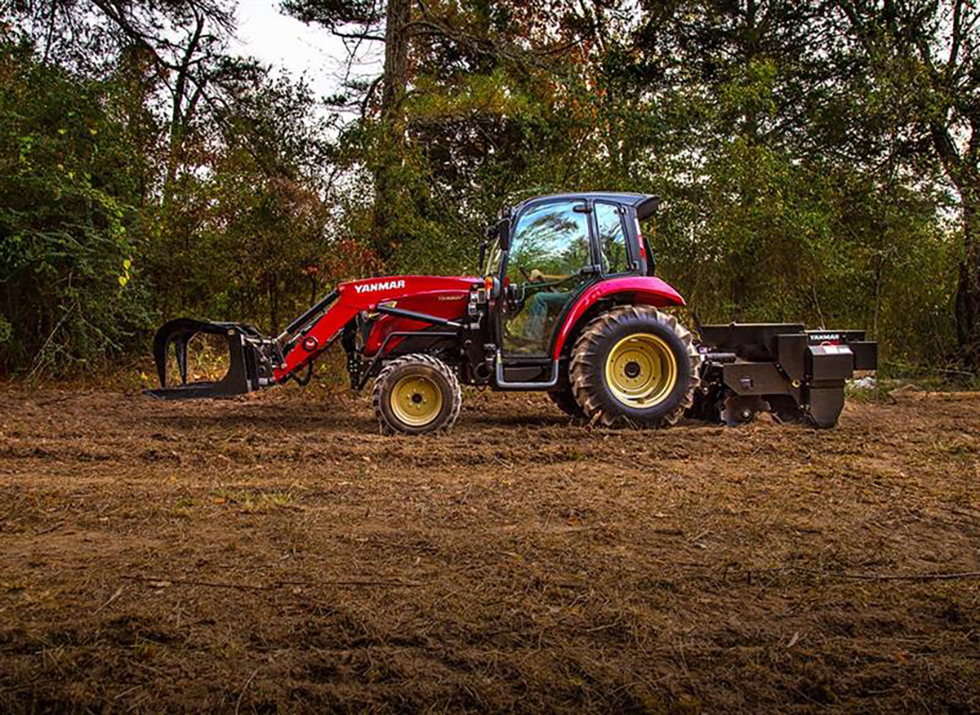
[(817, 161)]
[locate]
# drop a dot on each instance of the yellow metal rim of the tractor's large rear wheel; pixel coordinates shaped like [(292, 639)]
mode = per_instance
[(641, 370)]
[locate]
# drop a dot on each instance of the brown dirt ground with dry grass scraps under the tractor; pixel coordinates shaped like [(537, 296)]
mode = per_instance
[(277, 553)]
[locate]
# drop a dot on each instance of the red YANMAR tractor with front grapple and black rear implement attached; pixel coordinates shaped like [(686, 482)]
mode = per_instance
[(568, 304)]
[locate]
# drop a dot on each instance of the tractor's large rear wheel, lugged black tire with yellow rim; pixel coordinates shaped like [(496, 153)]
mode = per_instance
[(635, 365)]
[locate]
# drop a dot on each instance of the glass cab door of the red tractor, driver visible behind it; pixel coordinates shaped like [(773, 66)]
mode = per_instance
[(550, 262)]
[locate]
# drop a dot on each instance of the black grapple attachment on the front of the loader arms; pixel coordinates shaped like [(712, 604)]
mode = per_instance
[(251, 359)]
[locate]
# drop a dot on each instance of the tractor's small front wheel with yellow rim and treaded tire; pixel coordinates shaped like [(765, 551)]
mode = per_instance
[(416, 394)]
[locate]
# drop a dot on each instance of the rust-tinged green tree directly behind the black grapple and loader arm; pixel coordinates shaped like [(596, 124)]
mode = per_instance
[(249, 235)]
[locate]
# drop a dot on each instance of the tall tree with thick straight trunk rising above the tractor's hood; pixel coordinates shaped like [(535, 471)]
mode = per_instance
[(455, 80)]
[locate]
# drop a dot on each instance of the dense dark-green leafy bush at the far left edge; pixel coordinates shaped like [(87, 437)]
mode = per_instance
[(69, 291)]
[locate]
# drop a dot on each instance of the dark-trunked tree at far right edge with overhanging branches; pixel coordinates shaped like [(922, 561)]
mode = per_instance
[(925, 64)]
